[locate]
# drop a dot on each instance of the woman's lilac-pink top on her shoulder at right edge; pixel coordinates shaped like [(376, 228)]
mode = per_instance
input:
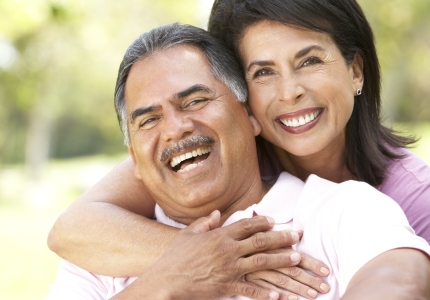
[(407, 182)]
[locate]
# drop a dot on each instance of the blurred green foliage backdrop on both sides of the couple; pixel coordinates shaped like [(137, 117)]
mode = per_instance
[(59, 58)]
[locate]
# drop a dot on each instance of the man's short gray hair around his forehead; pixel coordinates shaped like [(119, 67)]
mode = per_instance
[(223, 63)]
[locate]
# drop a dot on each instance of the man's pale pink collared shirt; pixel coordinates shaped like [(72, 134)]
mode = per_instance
[(345, 226)]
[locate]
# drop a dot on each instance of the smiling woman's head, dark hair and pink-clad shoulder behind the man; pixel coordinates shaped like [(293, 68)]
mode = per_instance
[(346, 140)]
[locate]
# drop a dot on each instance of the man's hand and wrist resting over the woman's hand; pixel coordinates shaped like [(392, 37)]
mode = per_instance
[(205, 262)]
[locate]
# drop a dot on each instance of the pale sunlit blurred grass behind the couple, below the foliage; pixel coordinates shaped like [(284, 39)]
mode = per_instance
[(28, 210)]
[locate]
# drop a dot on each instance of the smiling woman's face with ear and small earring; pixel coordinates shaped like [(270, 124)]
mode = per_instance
[(301, 90)]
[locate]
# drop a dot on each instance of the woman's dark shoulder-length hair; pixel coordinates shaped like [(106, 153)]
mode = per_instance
[(369, 144)]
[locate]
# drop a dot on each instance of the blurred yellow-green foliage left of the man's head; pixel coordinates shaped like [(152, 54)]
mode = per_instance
[(58, 71)]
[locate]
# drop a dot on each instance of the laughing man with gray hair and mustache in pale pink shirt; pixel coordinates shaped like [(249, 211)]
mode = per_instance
[(193, 145)]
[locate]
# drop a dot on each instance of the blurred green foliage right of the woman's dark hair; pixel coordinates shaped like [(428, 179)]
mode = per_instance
[(403, 42)]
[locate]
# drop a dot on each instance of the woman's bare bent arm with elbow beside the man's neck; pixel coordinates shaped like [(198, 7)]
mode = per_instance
[(105, 230)]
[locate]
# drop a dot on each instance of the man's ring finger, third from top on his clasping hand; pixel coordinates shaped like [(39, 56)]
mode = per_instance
[(264, 261)]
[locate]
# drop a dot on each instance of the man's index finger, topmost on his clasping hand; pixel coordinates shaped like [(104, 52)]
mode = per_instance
[(246, 227)]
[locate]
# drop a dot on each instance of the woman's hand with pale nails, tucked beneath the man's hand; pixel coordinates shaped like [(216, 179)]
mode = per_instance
[(292, 281)]
